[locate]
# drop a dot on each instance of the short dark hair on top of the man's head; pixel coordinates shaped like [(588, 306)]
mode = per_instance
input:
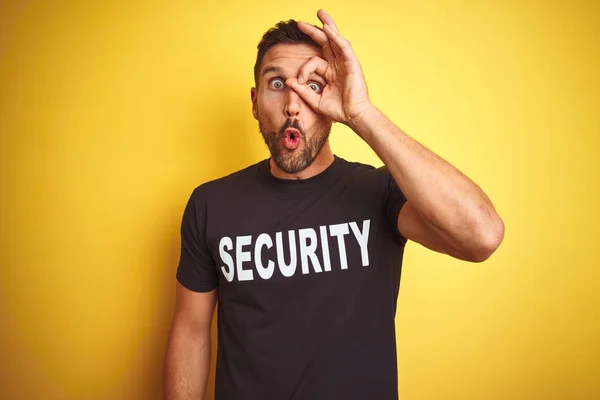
[(283, 32)]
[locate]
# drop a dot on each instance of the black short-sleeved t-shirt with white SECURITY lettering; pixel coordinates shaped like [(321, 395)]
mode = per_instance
[(307, 272)]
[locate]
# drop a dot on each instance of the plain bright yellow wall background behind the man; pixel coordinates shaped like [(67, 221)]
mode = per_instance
[(111, 112)]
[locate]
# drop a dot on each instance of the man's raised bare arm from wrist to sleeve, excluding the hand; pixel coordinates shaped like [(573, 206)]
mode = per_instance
[(445, 210)]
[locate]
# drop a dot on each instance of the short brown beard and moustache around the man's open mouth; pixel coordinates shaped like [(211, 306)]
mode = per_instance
[(294, 161)]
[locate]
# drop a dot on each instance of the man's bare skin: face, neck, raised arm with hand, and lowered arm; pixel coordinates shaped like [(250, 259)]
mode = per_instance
[(445, 210)]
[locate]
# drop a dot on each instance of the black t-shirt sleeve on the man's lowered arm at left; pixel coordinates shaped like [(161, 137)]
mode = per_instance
[(197, 269)]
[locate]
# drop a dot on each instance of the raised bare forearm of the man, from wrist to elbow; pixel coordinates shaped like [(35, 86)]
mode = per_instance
[(444, 196)]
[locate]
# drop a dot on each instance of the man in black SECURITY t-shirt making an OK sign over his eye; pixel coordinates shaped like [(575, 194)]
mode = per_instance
[(304, 250)]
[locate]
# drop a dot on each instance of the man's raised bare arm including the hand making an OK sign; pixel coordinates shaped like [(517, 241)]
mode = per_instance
[(445, 211)]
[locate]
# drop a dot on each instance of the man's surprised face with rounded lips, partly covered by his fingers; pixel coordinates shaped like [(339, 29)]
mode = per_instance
[(294, 133)]
